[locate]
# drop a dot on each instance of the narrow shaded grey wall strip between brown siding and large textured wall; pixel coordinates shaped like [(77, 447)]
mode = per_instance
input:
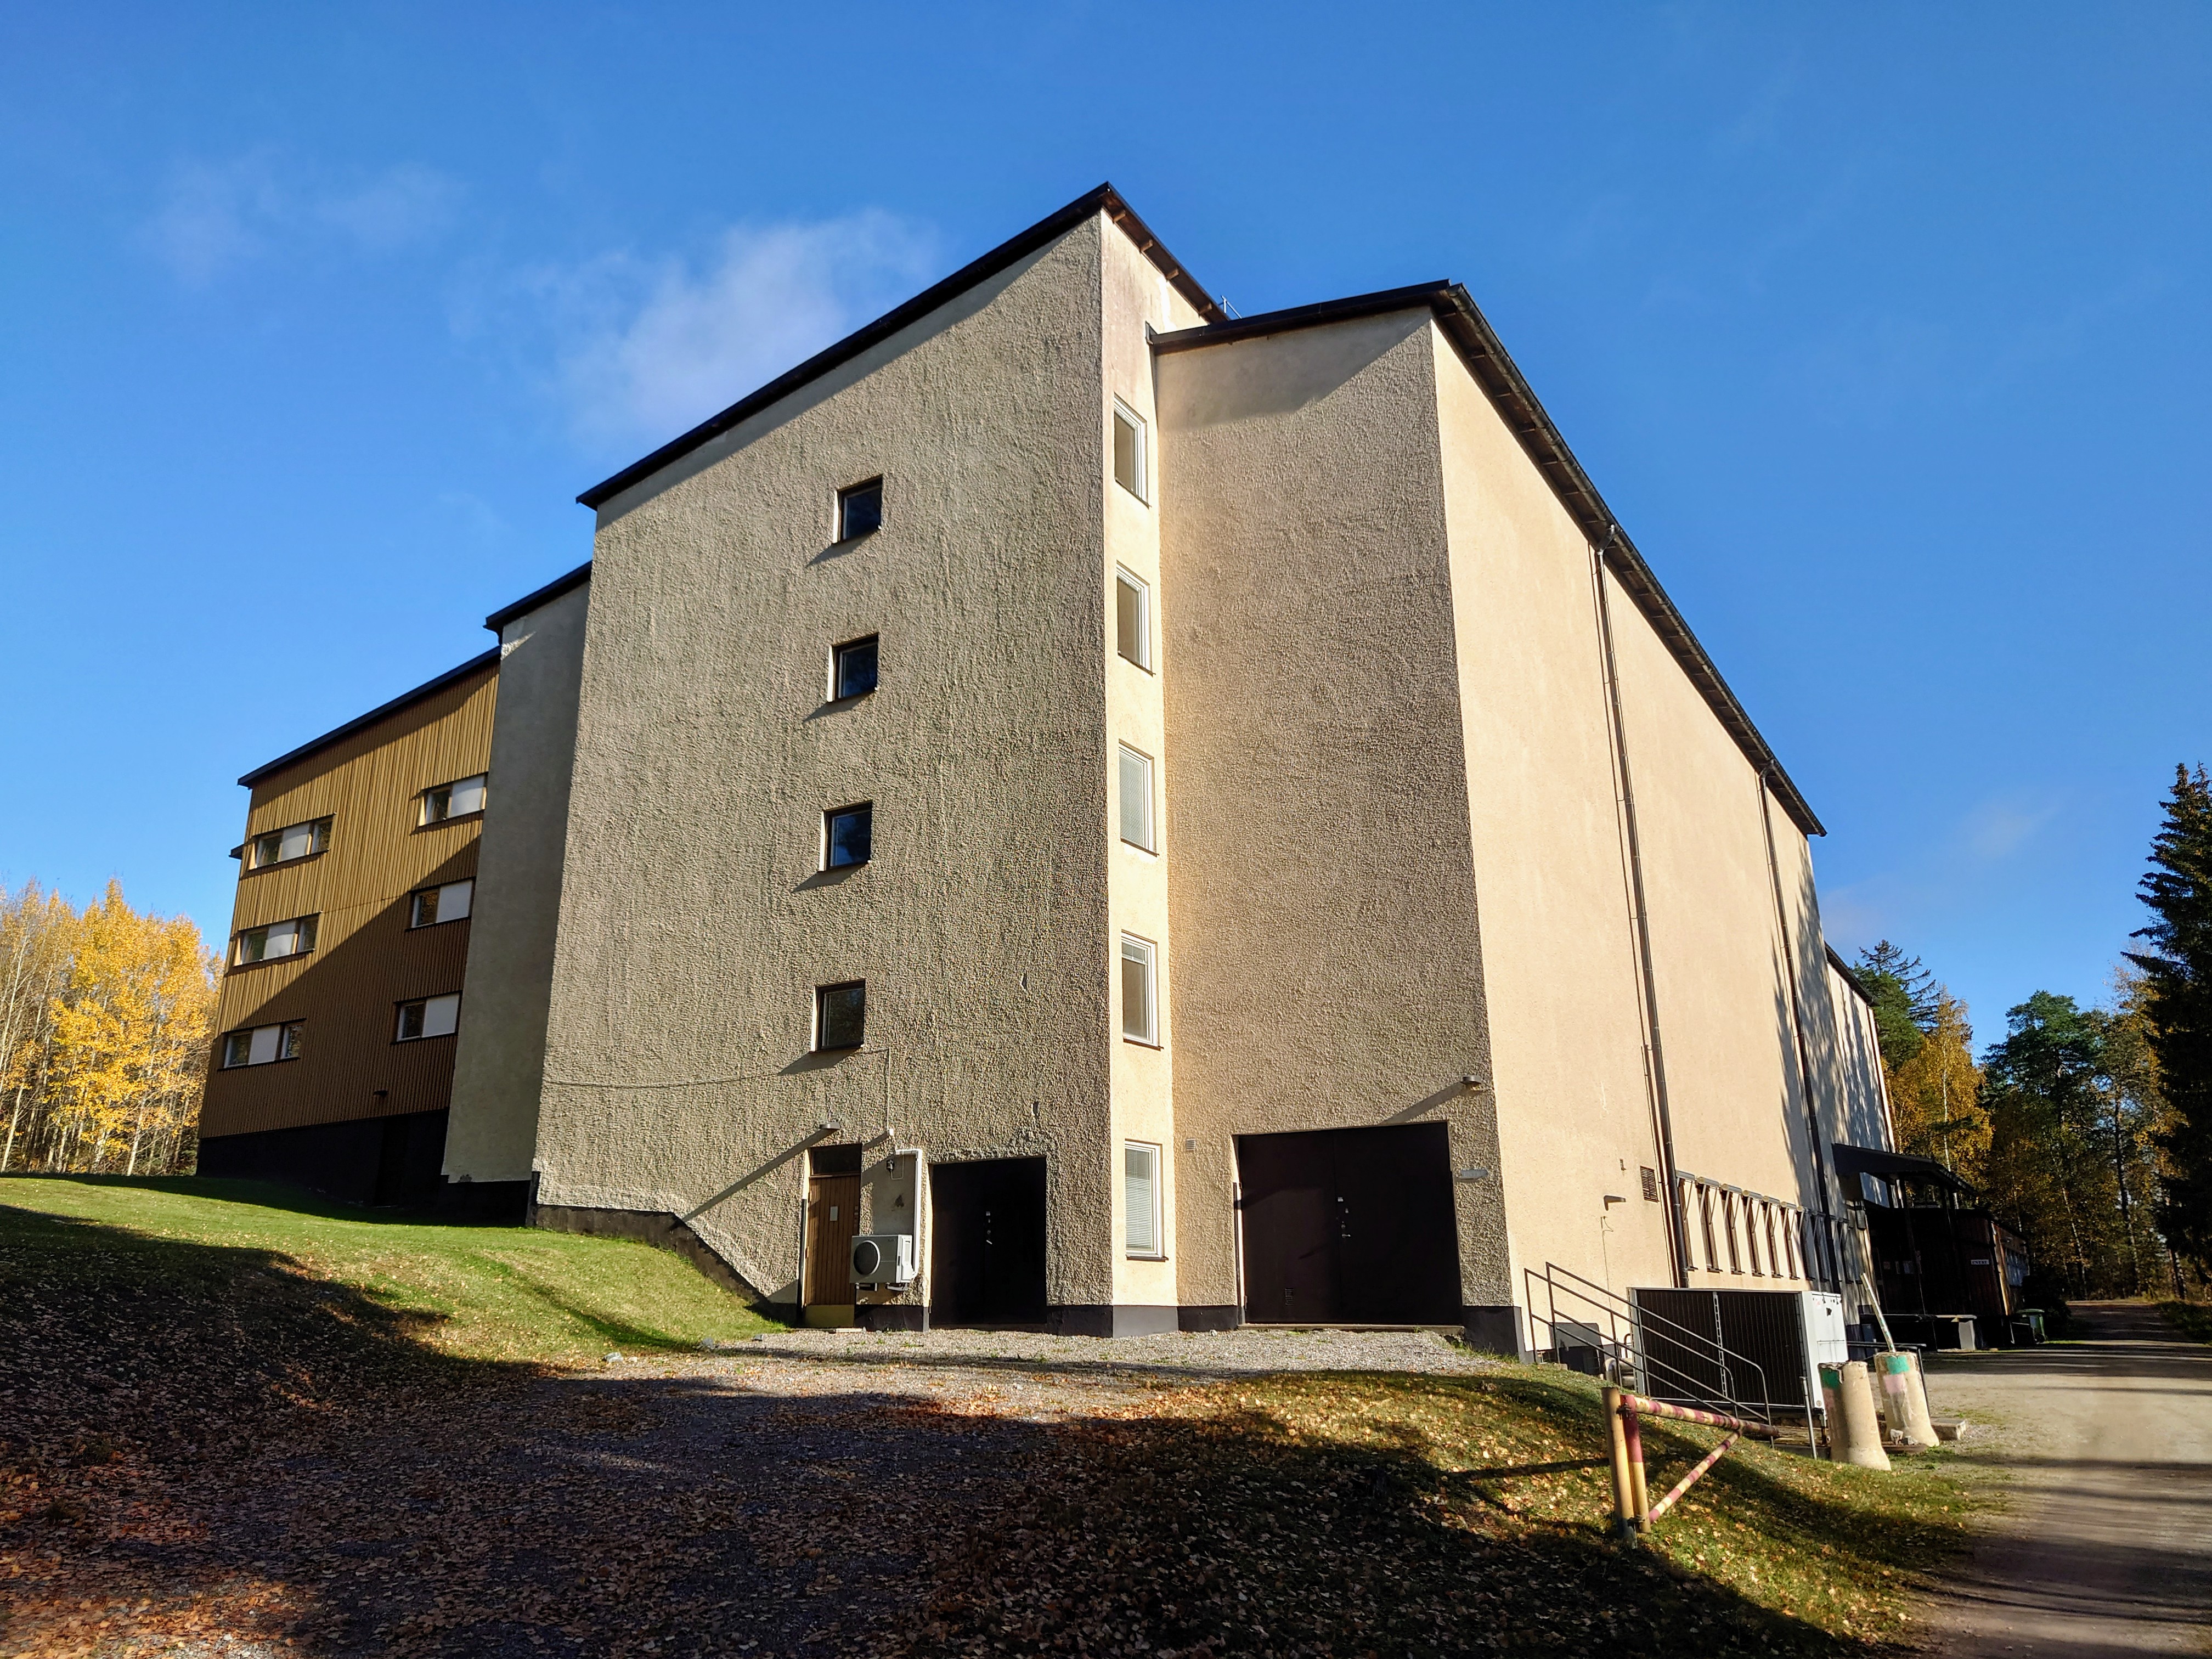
[(517, 906)]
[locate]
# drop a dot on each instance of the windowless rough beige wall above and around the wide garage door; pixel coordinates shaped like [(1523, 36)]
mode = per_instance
[(1328, 966)]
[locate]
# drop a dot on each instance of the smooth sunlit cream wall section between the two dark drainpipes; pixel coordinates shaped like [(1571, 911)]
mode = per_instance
[(1722, 983)]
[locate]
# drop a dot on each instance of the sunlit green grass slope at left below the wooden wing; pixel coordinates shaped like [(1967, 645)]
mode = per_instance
[(470, 1293)]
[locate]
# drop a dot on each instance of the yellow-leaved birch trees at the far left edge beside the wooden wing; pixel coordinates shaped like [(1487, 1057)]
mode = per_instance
[(105, 1025)]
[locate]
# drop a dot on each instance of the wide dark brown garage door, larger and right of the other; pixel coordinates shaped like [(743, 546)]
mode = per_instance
[(1350, 1227)]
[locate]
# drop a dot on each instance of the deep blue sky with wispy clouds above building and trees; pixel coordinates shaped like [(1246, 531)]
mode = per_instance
[(1884, 331)]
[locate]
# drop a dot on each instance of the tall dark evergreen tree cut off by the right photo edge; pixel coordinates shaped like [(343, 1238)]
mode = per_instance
[(2178, 972)]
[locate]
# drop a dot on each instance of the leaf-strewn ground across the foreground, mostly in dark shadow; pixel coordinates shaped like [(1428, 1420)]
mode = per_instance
[(262, 1454)]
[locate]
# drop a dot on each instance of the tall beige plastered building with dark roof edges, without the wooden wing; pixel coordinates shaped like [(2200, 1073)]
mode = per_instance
[(1158, 822)]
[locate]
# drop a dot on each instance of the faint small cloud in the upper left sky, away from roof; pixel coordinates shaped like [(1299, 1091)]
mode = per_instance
[(222, 216)]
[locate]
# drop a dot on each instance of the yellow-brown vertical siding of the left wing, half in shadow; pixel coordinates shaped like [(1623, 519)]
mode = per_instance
[(366, 959)]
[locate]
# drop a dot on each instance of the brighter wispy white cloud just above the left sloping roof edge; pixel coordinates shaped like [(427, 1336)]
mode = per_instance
[(647, 348)]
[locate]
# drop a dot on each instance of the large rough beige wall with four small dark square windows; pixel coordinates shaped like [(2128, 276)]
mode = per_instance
[(693, 919)]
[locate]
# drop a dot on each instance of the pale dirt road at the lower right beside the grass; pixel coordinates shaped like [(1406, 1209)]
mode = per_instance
[(2107, 1545)]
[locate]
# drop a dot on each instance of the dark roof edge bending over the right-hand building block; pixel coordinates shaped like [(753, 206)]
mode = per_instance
[(1507, 388)]
